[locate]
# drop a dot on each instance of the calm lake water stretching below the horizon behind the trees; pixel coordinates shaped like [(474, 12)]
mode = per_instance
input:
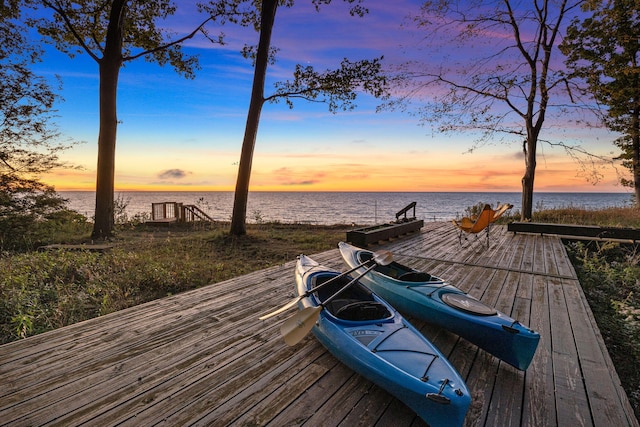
[(329, 208)]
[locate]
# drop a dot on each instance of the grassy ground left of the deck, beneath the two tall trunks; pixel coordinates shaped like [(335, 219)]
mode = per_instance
[(44, 290)]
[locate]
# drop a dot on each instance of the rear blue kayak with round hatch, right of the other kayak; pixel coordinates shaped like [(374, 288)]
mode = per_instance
[(433, 300)]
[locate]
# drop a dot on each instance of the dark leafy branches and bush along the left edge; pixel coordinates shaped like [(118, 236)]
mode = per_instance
[(29, 141)]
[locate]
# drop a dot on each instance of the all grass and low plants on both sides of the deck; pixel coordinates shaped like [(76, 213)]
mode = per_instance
[(44, 290)]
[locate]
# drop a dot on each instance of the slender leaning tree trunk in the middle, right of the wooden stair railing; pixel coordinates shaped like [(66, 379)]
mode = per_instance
[(239, 216)]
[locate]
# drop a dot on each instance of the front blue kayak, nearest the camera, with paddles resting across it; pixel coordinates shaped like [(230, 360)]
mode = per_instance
[(370, 337)]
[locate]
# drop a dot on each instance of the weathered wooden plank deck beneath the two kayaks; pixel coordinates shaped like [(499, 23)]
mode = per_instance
[(203, 358)]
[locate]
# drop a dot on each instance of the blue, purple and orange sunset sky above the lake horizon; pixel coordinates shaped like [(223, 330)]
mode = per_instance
[(177, 134)]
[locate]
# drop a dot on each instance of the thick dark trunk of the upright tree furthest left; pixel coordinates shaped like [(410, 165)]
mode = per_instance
[(109, 71)]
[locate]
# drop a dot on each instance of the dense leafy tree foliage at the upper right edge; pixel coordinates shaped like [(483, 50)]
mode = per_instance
[(602, 51)]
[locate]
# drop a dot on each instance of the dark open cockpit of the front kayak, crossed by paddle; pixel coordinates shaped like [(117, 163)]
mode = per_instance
[(356, 303)]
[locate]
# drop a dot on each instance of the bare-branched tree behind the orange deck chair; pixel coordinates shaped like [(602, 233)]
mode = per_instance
[(503, 85)]
